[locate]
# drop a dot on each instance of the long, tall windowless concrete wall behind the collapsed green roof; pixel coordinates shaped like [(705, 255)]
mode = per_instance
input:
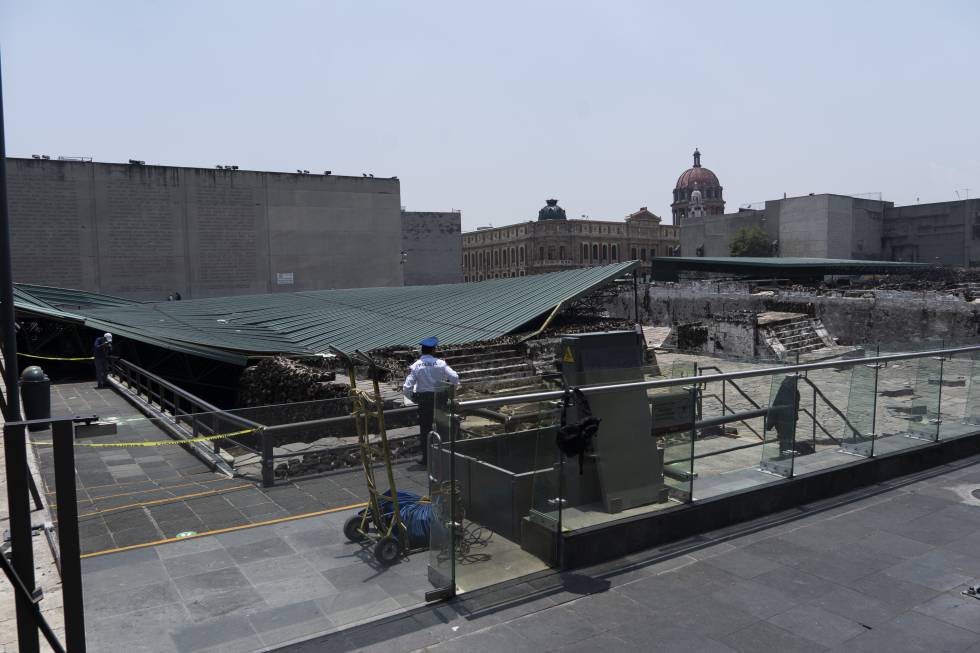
[(146, 231)]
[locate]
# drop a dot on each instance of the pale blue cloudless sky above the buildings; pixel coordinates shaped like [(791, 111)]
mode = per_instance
[(491, 108)]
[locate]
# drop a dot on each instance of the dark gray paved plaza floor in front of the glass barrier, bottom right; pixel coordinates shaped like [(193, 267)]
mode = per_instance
[(883, 569)]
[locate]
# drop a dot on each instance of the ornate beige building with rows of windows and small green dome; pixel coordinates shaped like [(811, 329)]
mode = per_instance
[(554, 243)]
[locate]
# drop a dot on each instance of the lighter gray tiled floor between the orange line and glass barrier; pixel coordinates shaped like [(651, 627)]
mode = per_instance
[(243, 590)]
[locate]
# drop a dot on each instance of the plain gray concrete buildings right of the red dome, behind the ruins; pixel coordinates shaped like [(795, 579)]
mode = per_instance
[(846, 227)]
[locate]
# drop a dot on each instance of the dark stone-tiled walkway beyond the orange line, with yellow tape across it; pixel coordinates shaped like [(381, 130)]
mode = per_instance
[(136, 495)]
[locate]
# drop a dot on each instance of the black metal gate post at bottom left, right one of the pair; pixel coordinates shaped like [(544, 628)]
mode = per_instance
[(63, 437)]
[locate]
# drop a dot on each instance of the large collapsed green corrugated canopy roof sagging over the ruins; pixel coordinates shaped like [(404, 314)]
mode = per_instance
[(234, 329)]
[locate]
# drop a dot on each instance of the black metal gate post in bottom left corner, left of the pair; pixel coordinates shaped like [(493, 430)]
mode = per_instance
[(22, 546)]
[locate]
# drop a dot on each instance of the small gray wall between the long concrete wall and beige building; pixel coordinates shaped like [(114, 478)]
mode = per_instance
[(432, 243)]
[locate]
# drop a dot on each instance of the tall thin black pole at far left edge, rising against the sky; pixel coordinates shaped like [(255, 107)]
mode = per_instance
[(7, 319)]
